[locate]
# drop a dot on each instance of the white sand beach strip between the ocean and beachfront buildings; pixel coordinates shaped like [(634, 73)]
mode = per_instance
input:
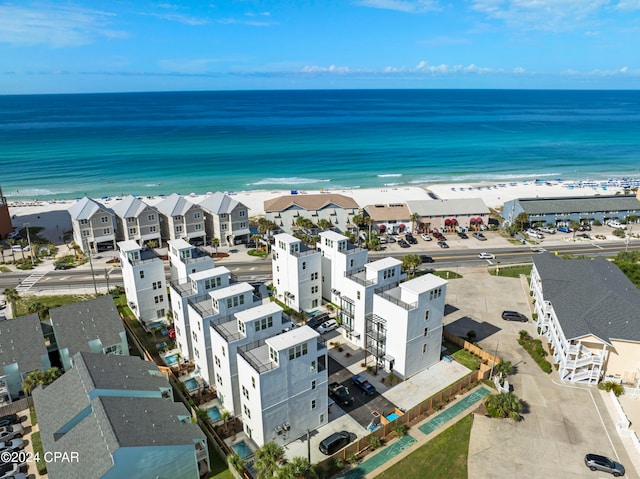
[(54, 218)]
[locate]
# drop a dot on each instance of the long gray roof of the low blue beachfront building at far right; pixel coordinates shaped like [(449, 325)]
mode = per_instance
[(539, 206)]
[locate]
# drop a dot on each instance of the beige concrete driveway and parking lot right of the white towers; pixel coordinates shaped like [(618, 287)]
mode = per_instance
[(562, 422)]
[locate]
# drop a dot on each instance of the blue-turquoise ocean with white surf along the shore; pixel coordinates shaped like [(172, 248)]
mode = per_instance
[(66, 146)]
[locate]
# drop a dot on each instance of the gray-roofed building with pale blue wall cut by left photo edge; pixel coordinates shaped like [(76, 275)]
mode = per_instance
[(22, 350)]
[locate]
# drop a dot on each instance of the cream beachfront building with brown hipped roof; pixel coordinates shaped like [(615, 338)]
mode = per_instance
[(337, 210)]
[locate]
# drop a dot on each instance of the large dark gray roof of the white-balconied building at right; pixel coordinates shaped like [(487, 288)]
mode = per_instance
[(590, 297)]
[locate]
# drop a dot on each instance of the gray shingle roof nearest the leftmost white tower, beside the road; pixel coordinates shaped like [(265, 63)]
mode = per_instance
[(77, 324)]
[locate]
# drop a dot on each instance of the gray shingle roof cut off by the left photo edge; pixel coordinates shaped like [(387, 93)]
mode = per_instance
[(22, 342)]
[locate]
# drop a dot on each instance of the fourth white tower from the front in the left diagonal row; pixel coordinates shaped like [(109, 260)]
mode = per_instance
[(197, 284)]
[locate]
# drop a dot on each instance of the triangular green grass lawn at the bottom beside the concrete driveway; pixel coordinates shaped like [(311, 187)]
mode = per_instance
[(444, 457)]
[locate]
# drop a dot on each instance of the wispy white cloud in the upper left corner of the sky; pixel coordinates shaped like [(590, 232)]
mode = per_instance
[(55, 26)]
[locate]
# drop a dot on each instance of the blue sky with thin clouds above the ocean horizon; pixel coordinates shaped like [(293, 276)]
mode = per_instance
[(96, 46)]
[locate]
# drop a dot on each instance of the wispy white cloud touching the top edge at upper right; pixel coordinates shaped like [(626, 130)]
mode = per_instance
[(552, 15)]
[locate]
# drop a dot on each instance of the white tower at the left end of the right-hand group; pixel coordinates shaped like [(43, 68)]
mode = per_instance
[(297, 273)]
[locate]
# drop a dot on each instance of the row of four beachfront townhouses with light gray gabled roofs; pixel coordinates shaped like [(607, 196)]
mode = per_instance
[(96, 227)]
